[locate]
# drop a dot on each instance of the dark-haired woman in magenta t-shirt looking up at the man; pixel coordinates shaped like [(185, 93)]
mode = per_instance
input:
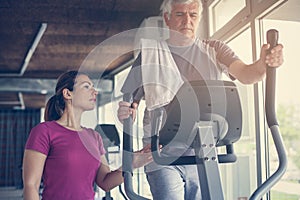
[(68, 157)]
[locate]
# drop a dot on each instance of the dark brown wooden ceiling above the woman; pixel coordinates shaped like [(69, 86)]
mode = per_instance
[(70, 31)]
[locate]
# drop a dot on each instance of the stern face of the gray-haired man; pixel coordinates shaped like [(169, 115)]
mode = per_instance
[(184, 18)]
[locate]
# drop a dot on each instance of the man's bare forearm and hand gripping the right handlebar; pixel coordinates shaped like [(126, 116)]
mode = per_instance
[(252, 73)]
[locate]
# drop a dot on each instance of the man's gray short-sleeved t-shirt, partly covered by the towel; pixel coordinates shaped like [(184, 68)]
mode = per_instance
[(203, 60)]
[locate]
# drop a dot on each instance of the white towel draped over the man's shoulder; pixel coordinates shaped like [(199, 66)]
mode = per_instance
[(160, 75)]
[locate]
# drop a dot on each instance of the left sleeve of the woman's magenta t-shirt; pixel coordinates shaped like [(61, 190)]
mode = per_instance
[(38, 139)]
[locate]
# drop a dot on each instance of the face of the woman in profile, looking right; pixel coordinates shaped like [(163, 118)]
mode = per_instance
[(84, 93)]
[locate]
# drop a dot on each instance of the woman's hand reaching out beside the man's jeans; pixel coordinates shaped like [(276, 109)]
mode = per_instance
[(142, 157)]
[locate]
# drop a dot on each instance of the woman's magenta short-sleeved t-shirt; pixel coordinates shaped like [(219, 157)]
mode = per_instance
[(73, 159)]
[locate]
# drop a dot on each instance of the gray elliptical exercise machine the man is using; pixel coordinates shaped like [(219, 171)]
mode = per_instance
[(213, 120)]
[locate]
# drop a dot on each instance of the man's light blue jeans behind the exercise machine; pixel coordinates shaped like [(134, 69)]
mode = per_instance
[(175, 183)]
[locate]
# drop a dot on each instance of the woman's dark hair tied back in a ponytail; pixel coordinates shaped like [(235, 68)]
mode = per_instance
[(56, 104)]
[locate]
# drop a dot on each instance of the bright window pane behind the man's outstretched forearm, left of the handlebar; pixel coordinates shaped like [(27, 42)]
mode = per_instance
[(238, 178)]
